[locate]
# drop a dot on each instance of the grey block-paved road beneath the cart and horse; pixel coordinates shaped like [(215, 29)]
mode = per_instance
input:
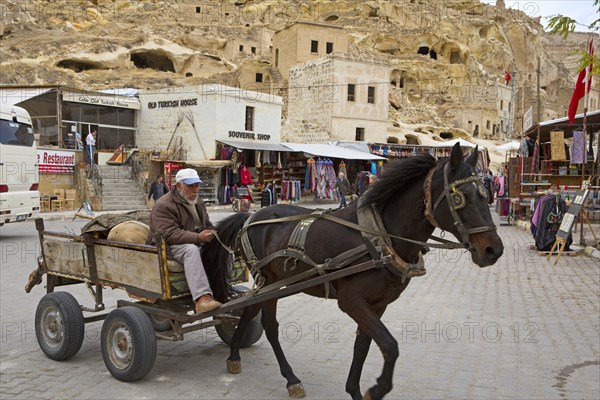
[(519, 329)]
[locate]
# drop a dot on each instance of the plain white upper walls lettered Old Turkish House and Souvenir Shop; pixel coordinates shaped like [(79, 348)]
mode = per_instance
[(215, 110)]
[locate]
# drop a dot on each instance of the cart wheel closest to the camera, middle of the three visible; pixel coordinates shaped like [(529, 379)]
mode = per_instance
[(128, 344)]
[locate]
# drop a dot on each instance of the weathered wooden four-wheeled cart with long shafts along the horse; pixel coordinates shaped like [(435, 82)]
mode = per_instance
[(160, 306)]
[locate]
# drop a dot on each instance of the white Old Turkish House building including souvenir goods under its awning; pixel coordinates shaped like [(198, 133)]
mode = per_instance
[(215, 129)]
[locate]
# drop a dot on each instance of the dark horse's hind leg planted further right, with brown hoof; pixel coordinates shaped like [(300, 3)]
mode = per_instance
[(271, 327)]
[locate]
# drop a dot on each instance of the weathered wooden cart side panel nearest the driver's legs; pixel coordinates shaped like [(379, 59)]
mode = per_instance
[(129, 267)]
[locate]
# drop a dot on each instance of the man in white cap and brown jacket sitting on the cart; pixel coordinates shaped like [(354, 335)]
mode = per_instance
[(180, 217)]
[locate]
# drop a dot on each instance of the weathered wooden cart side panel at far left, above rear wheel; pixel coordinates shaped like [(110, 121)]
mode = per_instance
[(65, 257)]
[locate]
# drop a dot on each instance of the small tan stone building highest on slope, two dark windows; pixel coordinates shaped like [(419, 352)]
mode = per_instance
[(306, 41)]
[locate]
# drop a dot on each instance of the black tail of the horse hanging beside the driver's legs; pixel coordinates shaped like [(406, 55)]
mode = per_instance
[(217, 259)]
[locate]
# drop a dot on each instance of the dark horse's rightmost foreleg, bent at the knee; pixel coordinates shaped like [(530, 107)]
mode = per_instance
[(370, 324)]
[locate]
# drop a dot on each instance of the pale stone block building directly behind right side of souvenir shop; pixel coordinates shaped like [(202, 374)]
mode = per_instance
[(338, 97)]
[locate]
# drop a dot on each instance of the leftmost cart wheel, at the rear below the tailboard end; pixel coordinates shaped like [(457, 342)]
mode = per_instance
[(59, 325)]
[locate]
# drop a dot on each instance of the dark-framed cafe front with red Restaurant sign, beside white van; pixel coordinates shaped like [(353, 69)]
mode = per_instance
[(62, 117)]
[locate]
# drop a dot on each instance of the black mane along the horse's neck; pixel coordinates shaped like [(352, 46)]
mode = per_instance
[(398, 175)]
